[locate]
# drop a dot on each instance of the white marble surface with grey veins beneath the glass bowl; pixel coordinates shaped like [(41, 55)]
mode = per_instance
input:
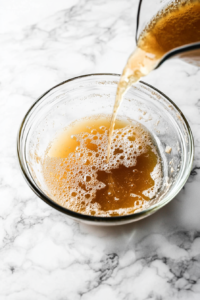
[(43, 254)]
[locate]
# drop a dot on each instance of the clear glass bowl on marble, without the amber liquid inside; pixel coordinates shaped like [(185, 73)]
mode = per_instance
[(94, 94)]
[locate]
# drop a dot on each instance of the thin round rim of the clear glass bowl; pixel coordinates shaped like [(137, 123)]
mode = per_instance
[(101, 219)]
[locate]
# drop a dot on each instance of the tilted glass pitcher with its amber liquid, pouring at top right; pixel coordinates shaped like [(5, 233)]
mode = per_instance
[(185, 47)]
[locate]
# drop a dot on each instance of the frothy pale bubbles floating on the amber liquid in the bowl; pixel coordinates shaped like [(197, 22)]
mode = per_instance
[(73, 181)]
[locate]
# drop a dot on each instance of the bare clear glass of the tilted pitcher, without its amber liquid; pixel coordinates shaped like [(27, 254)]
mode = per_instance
[(147, 9)]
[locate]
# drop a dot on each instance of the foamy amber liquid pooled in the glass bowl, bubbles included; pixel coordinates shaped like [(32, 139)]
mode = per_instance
[(79, 178)]
